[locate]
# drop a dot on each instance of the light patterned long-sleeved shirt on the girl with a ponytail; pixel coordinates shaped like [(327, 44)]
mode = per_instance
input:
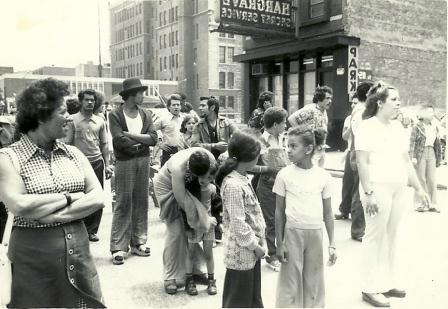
[(242, 220)]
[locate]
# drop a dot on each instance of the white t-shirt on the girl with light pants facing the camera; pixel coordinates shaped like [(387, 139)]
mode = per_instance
[(304, 190)]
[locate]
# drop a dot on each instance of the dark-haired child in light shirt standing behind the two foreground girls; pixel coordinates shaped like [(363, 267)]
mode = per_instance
[(273, 156)]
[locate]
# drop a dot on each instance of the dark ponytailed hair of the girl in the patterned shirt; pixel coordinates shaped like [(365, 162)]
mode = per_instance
[(243, 147)]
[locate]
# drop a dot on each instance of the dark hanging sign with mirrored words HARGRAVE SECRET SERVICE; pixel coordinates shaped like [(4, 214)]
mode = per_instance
[(260, 15)]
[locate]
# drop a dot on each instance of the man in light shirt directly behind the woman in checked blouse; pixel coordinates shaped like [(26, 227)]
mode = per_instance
[(88, 133)]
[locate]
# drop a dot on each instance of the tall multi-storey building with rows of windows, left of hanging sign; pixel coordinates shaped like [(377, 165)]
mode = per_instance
[(180, 44)]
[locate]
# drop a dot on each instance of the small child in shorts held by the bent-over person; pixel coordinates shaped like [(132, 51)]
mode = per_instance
[(202, 188)]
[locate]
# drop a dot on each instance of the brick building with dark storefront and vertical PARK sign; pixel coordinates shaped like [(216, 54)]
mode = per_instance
[(339, 43)]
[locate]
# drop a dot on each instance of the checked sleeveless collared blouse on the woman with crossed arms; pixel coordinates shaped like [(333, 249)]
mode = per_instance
[(60, 171)]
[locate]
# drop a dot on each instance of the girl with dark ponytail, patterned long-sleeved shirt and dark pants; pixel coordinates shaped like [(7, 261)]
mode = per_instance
[(244, 243)]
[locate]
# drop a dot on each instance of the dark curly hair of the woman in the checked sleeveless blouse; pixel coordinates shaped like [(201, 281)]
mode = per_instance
[(38, 101)]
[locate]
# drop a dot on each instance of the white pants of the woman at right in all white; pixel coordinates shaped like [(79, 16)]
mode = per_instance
[(379, 244)]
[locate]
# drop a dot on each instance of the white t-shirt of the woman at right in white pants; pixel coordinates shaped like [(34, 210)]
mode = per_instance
[(387, 146)]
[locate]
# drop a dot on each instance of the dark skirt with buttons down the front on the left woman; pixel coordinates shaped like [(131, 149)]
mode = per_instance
[(53, 267)]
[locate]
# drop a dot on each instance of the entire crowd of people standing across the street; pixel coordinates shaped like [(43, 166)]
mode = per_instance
[(263, 191)]
